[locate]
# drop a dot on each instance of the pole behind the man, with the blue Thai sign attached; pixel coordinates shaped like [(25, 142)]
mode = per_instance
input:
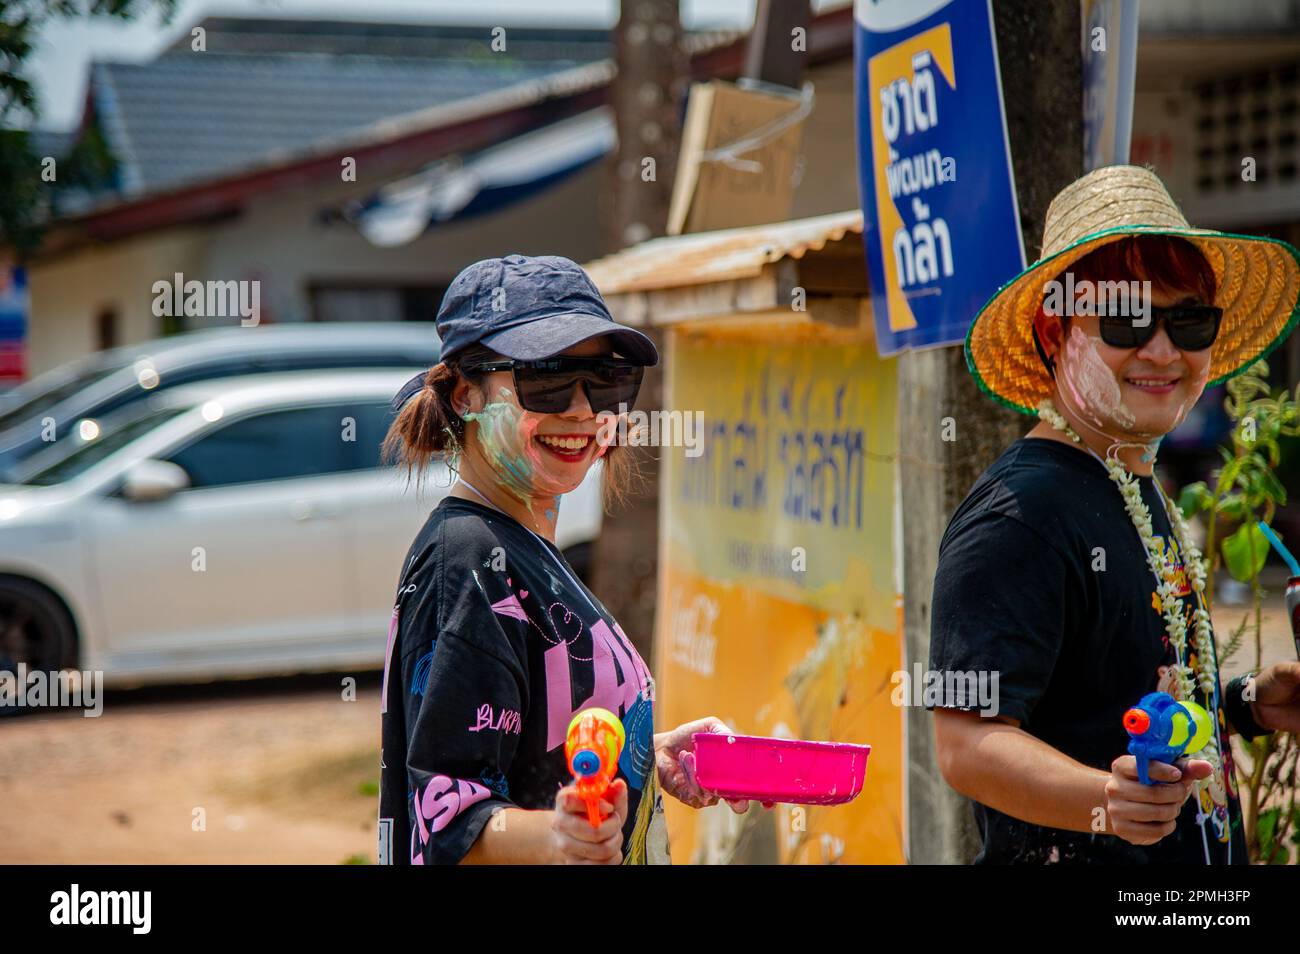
[(1041, 62)]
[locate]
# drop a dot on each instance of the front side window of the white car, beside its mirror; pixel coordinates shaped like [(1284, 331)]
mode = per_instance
[(275, 445)]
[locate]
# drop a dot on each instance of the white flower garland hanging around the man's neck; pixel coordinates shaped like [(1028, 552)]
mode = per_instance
[(1162, 567)]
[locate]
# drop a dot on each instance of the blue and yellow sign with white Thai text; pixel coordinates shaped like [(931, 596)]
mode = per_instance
[(938, 194)]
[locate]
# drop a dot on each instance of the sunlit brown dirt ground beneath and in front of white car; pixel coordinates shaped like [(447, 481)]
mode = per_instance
[(285, 771)]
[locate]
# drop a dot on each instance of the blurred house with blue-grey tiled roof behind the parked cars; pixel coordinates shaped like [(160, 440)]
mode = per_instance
[(232, 164)]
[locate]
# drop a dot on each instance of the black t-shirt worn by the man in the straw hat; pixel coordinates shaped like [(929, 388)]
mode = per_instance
[(1043, 579)]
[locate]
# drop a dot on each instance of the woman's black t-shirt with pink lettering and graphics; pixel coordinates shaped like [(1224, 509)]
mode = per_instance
[(495, 645)]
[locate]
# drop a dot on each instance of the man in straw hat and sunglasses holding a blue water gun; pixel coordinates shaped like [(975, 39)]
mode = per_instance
[(1067, 571)]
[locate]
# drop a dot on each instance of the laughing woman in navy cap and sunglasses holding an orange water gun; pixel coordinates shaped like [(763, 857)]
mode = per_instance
[(495, 643)]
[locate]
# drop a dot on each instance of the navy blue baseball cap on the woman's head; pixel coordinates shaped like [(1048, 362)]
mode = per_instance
[(527, 309)]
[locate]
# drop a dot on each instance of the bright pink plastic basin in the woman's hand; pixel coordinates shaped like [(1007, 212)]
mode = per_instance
[(781, 770)]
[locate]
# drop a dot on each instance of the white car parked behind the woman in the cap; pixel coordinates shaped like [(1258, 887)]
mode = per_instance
[(236, 527)]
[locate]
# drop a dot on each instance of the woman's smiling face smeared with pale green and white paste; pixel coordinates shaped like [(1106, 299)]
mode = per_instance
[(535, 456)]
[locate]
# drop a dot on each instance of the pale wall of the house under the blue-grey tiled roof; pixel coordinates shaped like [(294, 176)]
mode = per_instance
[(281, 242)]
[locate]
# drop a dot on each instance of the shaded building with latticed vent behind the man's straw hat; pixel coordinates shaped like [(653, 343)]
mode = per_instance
[(1217, 114)]
